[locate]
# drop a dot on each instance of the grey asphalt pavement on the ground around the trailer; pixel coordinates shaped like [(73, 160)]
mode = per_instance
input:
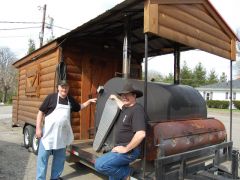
[(18, 163)]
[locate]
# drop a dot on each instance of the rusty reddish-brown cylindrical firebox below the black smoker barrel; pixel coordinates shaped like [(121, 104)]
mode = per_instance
[(175, 137)]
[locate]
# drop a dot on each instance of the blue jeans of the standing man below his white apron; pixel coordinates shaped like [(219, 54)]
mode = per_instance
[(59, 156)]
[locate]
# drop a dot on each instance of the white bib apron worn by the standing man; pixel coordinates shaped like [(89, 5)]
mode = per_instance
[(57, 128)]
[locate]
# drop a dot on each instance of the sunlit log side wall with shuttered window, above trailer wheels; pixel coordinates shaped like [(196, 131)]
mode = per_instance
[(36, 81)]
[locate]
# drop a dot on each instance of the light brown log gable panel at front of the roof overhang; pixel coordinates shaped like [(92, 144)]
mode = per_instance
[(193, 23)]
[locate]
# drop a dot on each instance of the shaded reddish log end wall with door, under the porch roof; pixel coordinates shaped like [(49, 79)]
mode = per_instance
[(85, 72)]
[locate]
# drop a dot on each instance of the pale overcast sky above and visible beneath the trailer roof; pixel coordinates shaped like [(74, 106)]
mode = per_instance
[(70, 14)]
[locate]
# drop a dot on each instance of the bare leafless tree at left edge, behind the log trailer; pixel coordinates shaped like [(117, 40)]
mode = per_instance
[(7, 72)]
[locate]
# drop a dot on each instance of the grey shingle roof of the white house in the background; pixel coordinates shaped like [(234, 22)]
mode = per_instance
[(223, 85)]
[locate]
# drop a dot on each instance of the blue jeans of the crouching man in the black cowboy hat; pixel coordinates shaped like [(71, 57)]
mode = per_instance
[(116, 165)]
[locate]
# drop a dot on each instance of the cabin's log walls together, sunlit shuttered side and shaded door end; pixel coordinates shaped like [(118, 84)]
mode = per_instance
[(86, 71)]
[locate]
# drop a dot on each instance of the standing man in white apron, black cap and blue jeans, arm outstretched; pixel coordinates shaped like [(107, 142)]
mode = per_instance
[(57, 132)]
